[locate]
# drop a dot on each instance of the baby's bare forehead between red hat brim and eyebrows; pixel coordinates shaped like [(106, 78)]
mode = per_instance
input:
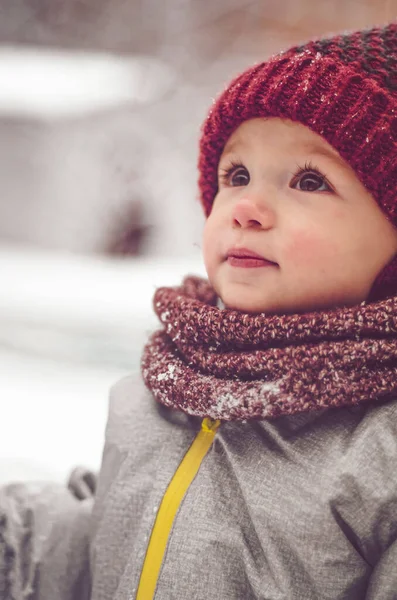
[(279, 134)]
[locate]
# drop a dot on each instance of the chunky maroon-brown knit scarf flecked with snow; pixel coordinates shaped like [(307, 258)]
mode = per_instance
[(231, 365)]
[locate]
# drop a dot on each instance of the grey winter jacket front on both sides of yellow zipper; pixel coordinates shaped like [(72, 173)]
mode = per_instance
[(302, 507)]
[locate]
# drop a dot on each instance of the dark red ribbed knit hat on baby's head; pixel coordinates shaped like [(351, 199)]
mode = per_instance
[(345, 89)]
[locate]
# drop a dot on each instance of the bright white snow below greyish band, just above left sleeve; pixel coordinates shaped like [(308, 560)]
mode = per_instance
[(53, 416)]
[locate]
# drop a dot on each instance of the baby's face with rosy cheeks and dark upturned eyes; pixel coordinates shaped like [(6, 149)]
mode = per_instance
[(286, 195)]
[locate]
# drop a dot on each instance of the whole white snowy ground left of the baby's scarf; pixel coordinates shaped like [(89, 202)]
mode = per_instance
[(70, 326)]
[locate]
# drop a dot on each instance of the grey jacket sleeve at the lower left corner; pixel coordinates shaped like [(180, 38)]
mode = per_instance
[(44, 543)]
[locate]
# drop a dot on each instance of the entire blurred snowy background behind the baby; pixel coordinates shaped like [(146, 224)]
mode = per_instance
[(101, 103)]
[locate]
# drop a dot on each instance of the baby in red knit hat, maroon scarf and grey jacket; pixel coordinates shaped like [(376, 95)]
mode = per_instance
[(257, 458)]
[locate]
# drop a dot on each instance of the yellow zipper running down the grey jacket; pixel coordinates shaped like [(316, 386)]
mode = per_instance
[(170, 503)]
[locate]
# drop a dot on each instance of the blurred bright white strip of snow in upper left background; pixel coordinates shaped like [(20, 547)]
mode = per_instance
[(50, 83)]
